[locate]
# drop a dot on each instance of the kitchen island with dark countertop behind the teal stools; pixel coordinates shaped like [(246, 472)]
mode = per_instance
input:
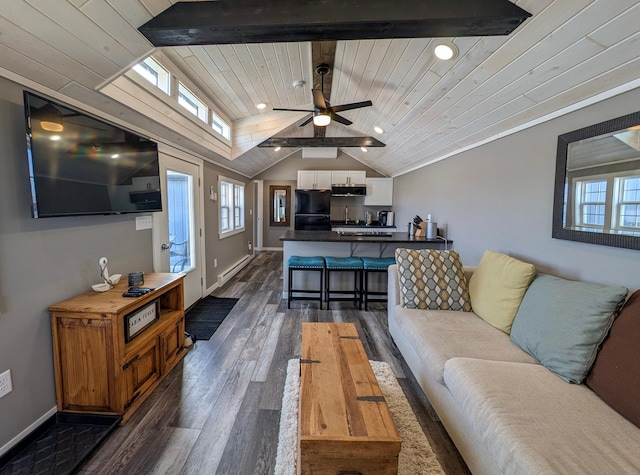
[(374, 243)]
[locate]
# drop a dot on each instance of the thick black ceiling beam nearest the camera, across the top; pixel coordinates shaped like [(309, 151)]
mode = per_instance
[(259, 21)]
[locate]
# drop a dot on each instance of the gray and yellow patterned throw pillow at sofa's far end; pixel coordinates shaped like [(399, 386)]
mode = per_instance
[(432, 280)]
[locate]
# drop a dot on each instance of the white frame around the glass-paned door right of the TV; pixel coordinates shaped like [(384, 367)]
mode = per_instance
[(157, 240)]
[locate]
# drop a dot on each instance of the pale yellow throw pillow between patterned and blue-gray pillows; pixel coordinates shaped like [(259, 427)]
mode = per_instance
[(497, 287)]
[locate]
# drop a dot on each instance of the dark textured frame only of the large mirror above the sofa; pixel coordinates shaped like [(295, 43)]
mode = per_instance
[(558, 229)]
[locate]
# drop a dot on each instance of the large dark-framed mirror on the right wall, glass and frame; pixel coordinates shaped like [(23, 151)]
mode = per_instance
[(597, 188)]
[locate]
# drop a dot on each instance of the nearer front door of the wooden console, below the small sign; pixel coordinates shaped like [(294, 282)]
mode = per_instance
[(140, 371)]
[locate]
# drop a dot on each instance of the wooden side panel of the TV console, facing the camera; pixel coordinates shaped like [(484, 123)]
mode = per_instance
[(84, 364)]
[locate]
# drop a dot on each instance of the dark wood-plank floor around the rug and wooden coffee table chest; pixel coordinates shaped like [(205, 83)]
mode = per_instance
[(218, 411)]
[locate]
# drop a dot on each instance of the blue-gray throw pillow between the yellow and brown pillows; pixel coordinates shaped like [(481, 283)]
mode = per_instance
[(562, 322)]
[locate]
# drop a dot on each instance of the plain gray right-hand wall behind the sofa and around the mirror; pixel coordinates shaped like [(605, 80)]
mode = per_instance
[(500, 196)]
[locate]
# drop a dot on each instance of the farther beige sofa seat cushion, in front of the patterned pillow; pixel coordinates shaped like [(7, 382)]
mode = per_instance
[(439, 335)]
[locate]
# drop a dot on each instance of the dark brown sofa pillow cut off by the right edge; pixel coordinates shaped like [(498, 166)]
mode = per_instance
[(615, 375)]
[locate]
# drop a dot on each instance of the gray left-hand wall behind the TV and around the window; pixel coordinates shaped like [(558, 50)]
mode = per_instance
[(45, 261)]
